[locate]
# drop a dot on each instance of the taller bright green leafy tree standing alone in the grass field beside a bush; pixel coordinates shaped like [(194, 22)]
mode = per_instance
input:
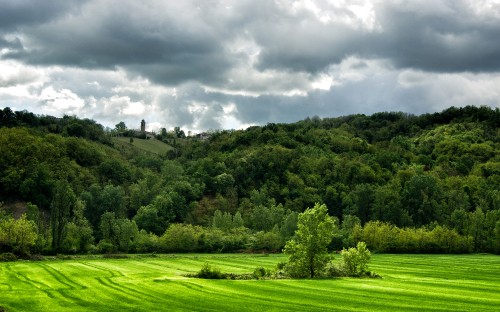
[(308, 249)]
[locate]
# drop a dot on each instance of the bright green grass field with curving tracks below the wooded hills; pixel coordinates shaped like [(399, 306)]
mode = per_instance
[(409, 283)]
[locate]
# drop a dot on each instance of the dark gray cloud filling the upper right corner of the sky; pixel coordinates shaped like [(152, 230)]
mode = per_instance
[(454, 39)]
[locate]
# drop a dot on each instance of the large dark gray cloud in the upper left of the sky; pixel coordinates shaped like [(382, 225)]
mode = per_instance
[(164, 46)]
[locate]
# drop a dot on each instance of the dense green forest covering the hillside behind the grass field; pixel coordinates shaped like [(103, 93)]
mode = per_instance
[(399, 182)]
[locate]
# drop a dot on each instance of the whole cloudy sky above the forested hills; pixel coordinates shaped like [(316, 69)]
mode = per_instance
[(214, 64)]
